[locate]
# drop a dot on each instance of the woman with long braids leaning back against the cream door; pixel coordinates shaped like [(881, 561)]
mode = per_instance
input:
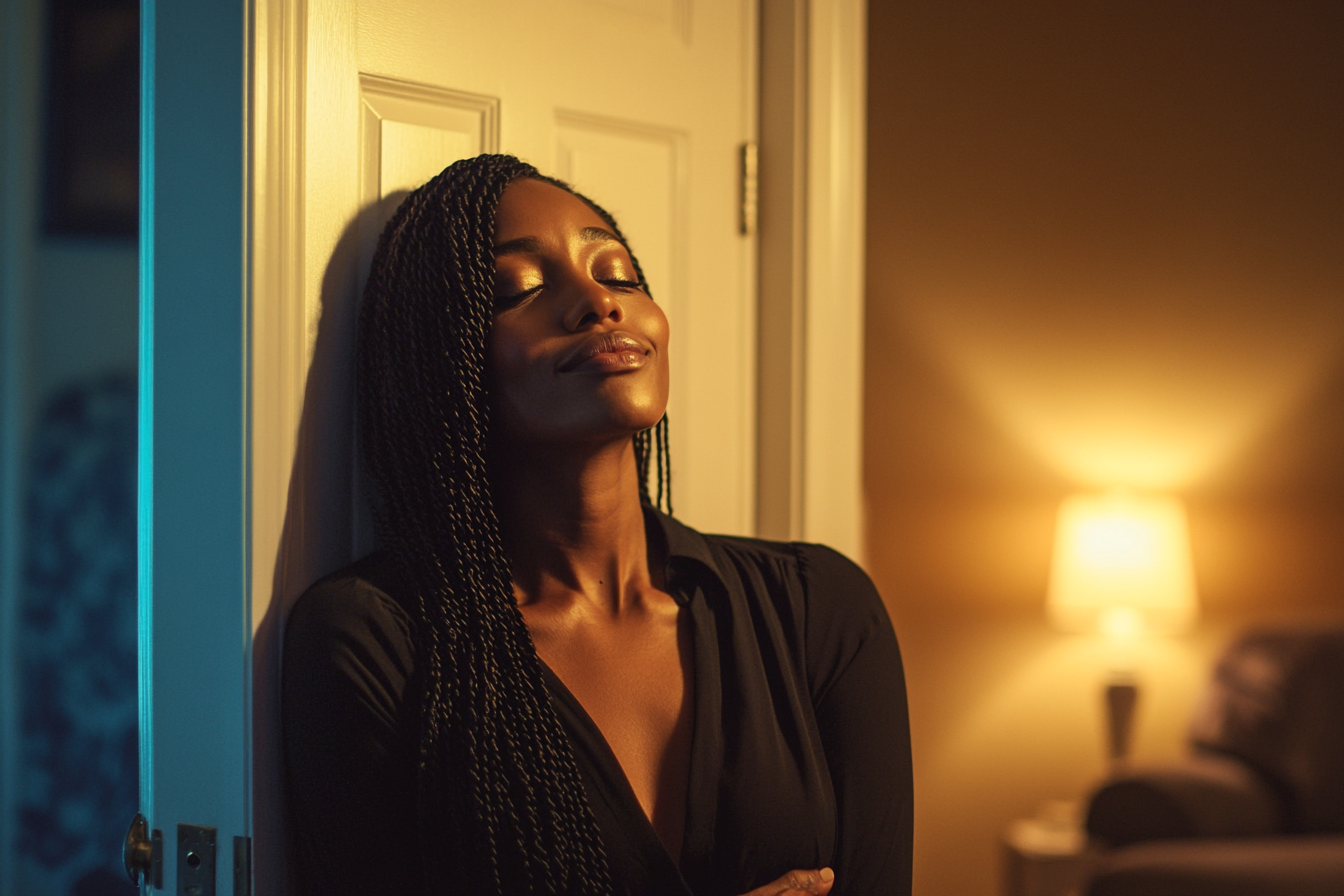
[(541, 683)]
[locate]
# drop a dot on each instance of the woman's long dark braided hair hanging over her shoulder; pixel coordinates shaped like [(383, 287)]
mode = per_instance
[(501, 804)]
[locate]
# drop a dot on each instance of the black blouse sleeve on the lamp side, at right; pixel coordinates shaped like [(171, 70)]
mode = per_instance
[(859, 699)]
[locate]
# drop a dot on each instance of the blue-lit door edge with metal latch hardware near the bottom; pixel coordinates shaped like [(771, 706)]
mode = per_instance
[(194, 521)]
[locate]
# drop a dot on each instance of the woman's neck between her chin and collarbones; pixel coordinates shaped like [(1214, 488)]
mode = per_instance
[(572, 525)]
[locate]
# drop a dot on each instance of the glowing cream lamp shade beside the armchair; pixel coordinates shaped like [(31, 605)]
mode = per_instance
[(1123, 565)]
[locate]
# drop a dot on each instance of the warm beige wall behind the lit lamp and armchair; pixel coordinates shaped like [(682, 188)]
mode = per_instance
[(1105, 247)]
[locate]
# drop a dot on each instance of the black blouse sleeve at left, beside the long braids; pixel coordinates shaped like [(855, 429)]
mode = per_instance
[(351, 780)]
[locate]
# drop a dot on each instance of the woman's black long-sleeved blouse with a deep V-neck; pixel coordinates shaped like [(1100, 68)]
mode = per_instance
[(800, 754)]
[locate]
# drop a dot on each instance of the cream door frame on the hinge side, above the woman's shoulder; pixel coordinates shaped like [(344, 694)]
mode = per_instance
[(814, 171)]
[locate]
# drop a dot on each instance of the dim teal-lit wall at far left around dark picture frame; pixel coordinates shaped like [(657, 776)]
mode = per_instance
[(68, 314)]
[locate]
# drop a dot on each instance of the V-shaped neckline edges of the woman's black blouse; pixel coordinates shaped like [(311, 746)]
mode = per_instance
[(706, 753)]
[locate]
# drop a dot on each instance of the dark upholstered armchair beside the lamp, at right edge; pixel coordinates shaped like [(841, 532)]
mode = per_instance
[(1257, 809)]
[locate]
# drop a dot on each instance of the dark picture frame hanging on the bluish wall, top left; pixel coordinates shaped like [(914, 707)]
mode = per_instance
[(92, 128)]
